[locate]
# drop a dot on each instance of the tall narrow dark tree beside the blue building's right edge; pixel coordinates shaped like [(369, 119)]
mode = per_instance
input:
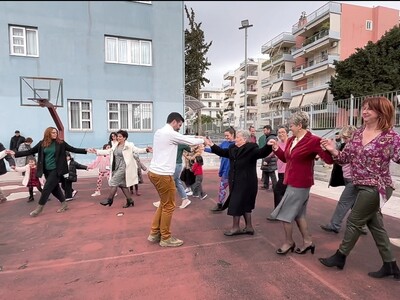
[(196, 62)]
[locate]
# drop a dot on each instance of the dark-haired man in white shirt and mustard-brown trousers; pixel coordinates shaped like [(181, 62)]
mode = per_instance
[(161, 170)]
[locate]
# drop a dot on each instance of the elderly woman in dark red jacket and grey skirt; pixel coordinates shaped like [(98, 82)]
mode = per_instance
[(299, 155)]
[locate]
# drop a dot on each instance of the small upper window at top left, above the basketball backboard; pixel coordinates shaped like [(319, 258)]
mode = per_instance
[(24, 41)]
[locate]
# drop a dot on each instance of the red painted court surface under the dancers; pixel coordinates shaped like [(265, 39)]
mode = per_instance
[(89, 252)]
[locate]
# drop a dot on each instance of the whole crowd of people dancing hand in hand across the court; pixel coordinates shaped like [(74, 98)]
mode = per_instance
[(361, 163)]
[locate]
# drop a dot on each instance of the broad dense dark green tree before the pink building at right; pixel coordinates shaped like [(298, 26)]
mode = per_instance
[(370, 70)]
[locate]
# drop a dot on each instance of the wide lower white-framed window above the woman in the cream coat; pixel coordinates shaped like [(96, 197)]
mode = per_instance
[(130, 116)]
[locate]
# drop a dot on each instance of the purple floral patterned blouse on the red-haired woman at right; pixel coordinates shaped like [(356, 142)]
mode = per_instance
[(370, 163)]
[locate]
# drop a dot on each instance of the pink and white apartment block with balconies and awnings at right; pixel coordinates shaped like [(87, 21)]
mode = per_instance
[(300, 62)]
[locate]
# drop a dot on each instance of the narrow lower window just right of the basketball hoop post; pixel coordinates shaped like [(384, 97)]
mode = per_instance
[(80, 114)]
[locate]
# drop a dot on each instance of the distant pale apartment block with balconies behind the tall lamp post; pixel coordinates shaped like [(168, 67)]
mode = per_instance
[(235, 90)]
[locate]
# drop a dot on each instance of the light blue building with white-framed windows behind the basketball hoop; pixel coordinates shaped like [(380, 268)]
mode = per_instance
[(104, 65)]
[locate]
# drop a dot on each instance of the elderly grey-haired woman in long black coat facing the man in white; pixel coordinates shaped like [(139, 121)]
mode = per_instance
[(243, 180)]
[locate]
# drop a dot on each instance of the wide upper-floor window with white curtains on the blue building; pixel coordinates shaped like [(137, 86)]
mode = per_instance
[(128, 51)]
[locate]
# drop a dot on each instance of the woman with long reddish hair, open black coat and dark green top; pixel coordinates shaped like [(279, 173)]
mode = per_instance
[(52, 162)]
